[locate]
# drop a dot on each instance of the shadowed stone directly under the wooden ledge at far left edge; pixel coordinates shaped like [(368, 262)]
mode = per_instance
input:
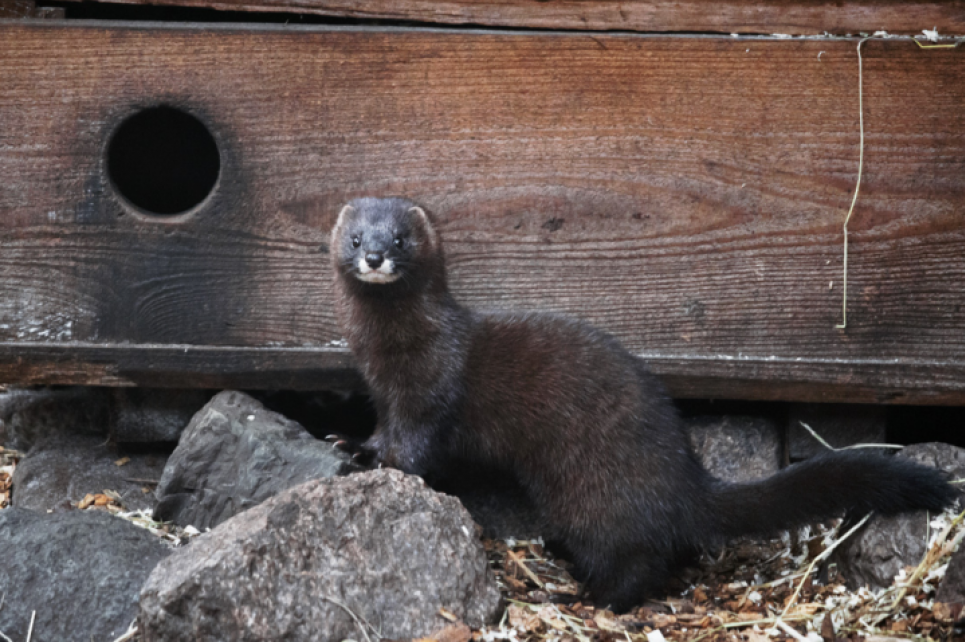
[(35, 416)]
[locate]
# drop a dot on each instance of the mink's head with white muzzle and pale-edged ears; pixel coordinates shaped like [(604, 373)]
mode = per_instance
[(385, 242)]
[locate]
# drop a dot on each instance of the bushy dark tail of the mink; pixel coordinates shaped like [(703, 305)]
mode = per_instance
[(827, 486)]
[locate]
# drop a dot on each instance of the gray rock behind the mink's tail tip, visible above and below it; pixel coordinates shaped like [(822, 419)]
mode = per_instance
[(874, 555)]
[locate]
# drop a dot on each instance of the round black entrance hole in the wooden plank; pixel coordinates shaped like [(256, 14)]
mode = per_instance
[(163, 160)]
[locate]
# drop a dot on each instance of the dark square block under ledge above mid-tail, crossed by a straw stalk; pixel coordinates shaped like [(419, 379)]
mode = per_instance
[(840, 425)]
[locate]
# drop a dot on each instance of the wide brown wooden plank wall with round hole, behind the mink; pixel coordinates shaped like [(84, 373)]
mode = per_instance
[(685, 193)]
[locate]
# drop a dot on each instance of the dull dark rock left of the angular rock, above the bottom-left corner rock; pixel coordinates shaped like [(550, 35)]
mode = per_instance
[(60, 472)]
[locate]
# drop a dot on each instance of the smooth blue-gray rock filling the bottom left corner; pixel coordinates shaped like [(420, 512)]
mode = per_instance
[(81, 571)]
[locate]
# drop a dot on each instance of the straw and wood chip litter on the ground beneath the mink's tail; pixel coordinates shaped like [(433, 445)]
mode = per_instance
[(753, 591)]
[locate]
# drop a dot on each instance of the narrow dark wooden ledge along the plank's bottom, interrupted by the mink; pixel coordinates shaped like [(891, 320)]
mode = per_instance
[(180, 366)]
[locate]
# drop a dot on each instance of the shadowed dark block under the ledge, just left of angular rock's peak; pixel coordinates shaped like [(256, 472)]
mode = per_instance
[(151, 415)]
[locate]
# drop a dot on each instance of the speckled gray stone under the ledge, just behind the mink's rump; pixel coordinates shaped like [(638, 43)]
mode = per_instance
[(737, 448)]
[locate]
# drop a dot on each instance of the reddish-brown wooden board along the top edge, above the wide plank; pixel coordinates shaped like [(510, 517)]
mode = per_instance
[(725, 16)]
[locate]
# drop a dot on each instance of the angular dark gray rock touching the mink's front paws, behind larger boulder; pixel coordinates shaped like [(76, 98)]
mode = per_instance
[(234, 455)]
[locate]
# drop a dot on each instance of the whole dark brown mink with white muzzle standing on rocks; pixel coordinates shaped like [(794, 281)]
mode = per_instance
[(585, 427)]
